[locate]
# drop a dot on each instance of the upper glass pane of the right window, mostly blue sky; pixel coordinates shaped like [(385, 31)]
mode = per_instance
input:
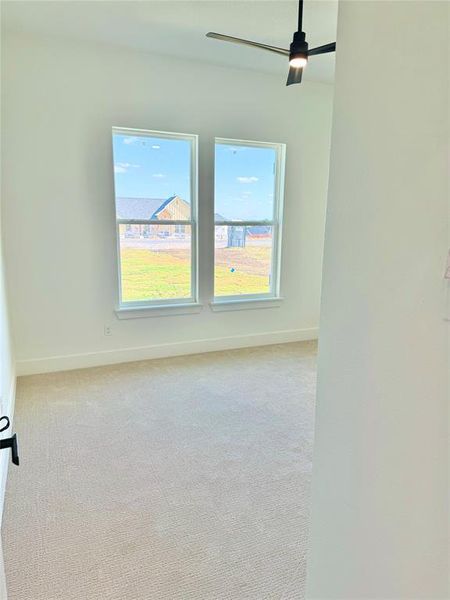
[(244, 183)]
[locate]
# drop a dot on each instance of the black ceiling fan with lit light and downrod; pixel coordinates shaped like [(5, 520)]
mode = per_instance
[(298, 52)]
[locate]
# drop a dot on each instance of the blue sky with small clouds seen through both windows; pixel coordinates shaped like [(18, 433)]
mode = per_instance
[(151, 167)]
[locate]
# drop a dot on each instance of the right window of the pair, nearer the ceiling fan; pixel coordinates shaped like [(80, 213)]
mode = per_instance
[(247, 213)]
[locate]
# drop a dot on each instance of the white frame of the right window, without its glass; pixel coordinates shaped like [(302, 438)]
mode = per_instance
[(276, 224)]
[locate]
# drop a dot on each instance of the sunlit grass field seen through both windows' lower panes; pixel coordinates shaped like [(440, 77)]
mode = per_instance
[(163, 274)]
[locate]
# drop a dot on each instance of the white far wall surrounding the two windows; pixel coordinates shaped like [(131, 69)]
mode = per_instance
[(61, 100)]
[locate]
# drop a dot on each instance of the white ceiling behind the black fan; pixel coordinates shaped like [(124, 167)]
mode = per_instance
[(177, 28)]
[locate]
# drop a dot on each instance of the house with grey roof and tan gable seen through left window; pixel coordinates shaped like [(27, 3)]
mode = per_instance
[(159, 209)]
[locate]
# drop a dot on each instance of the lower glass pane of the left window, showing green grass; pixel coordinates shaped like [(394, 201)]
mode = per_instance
[(155, 262)]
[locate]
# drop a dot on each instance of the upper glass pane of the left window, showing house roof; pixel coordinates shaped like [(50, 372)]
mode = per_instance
[(152, 177)]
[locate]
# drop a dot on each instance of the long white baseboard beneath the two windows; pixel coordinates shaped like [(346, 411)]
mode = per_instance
[(108, 357)]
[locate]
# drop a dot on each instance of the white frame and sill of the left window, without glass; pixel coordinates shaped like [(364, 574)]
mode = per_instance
[(159, 303)]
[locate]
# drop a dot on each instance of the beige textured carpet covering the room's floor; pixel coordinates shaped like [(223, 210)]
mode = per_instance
[(178, 479)]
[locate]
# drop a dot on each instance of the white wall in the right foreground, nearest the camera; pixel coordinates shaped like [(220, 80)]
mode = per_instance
[(380, 502)]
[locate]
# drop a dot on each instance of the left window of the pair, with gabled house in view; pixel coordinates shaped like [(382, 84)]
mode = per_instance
[(155, 180)]
